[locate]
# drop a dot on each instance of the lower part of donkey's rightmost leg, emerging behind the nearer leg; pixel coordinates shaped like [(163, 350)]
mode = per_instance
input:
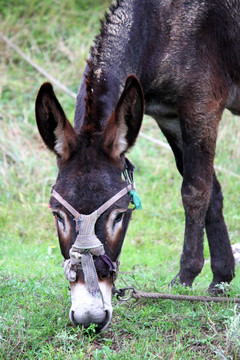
[(222, 260)]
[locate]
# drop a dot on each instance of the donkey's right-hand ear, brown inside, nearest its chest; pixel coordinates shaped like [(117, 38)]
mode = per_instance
[(123, 127)]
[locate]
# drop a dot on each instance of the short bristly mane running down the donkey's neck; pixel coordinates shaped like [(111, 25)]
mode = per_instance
[(117, 20)]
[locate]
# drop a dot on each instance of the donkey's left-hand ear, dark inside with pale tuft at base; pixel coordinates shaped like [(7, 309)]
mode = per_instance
[(54, 128)]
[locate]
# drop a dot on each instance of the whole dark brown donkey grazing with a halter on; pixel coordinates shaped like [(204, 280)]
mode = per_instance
[(179, 62)]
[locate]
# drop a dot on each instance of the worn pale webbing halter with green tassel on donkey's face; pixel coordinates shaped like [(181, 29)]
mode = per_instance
[(87, 244)]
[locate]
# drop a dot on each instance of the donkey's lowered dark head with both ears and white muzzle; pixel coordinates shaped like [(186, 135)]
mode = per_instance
[(91, 163)]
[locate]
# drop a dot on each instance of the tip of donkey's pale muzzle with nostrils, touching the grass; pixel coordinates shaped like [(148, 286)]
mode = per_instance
[(99, 317)]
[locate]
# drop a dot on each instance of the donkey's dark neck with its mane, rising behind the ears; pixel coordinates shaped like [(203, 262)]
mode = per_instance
[(117, 53)]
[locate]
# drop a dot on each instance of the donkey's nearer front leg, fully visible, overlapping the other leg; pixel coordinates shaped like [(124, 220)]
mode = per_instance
[(199, 132)]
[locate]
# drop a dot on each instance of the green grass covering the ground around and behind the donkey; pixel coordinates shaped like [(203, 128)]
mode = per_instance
[(34, 299)]
